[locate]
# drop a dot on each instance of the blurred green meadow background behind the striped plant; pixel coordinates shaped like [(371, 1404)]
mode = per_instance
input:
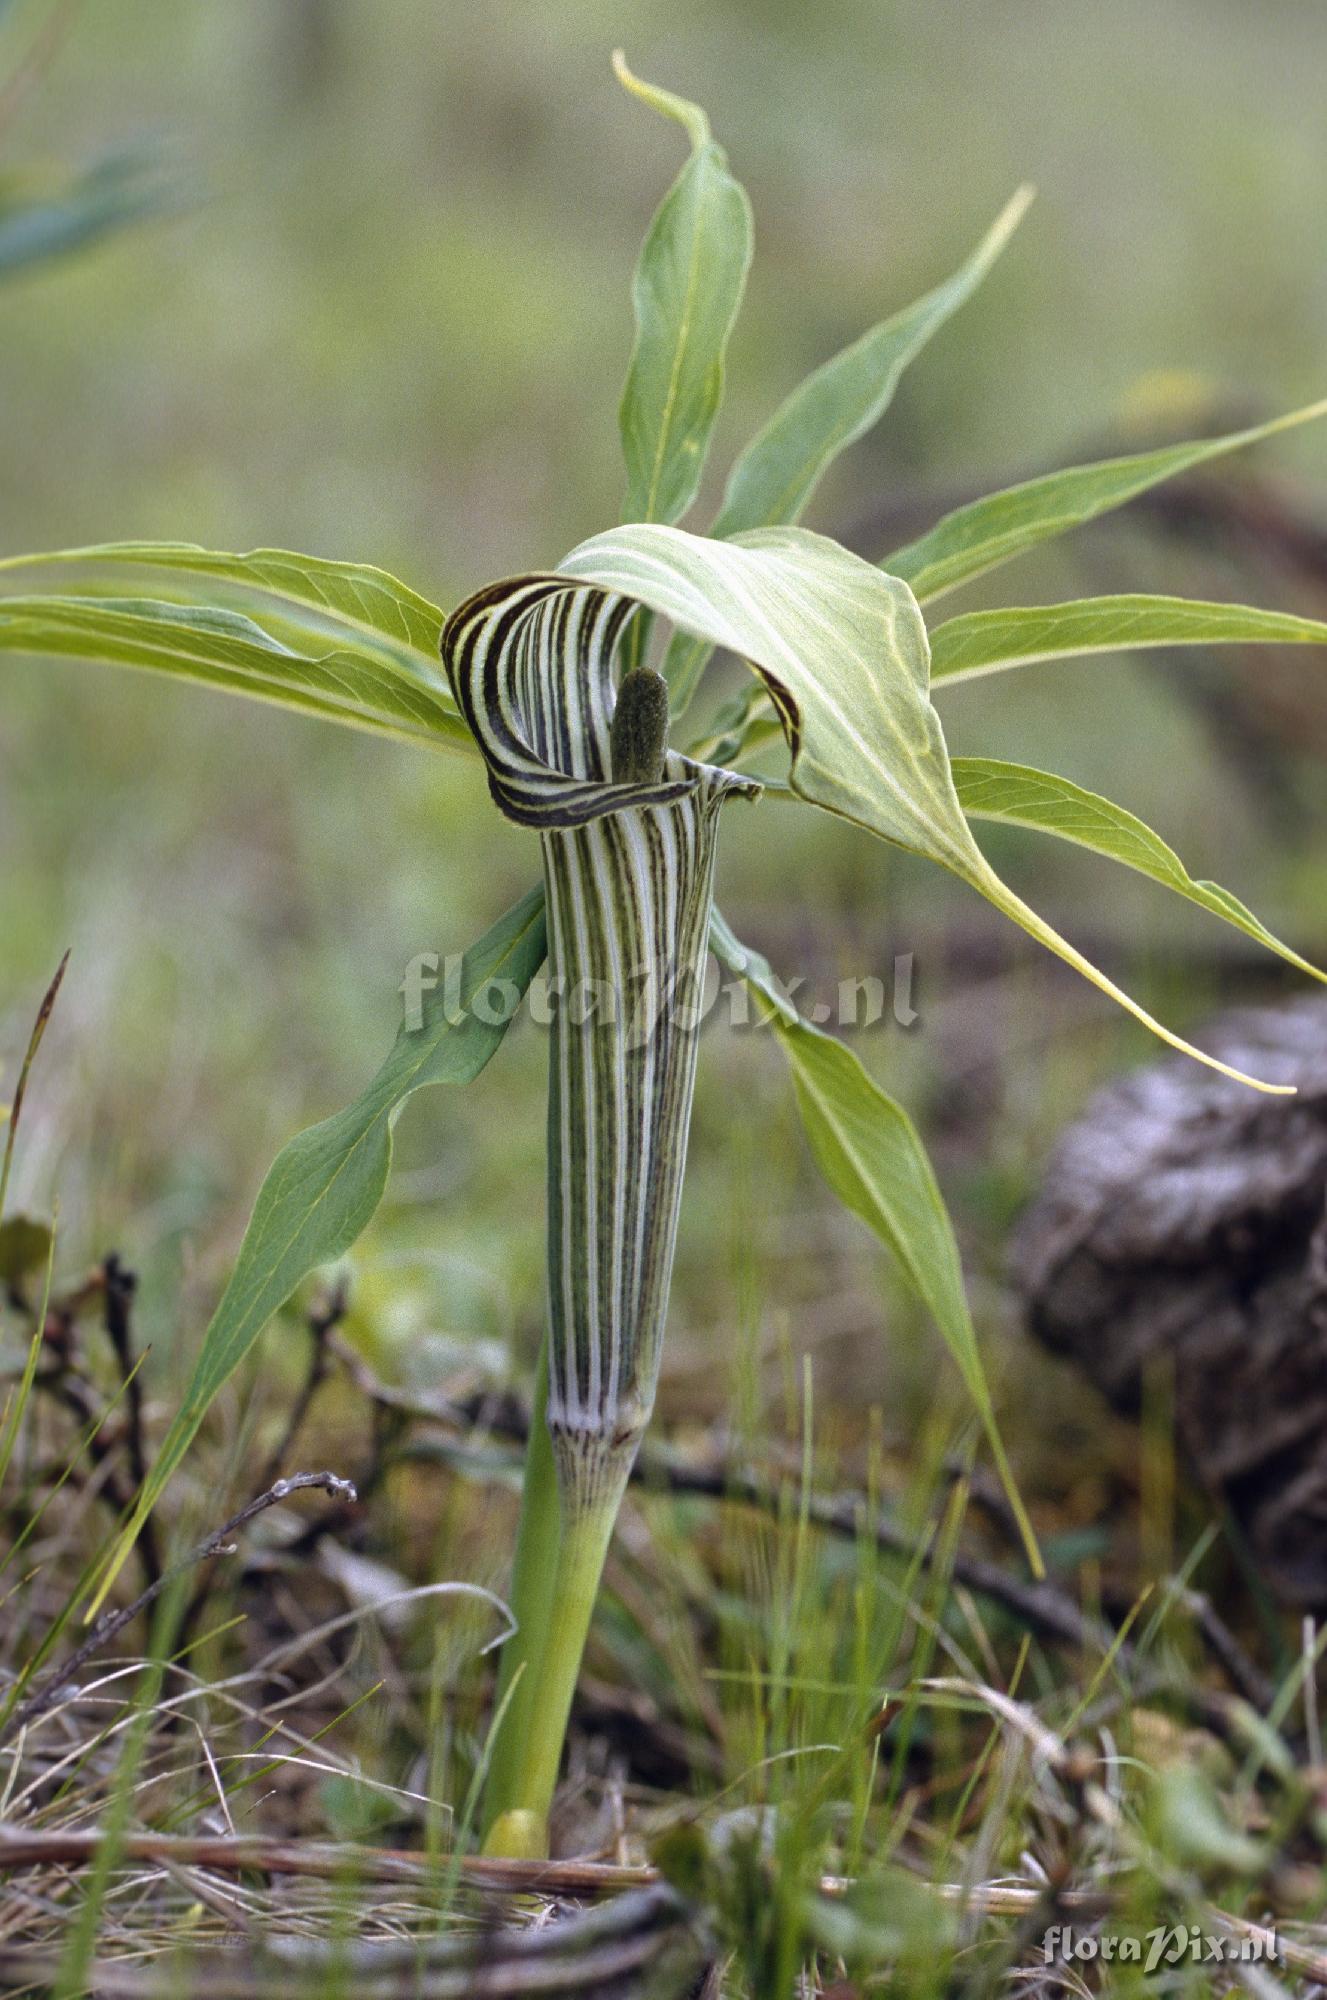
[(391, 321)]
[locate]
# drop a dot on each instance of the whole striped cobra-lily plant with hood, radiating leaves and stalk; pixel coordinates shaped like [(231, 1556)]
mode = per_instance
[(597, 751)]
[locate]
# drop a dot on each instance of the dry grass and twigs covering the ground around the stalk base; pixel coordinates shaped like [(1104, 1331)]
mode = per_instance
[(826, 1743)]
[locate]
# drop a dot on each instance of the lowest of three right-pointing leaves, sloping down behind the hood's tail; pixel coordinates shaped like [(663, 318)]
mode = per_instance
[(1016, 795)]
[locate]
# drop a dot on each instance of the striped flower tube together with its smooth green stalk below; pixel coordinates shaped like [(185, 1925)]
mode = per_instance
[(629, 833)]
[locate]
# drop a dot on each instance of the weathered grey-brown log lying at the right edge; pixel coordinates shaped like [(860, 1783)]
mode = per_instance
[(1184, 1223)]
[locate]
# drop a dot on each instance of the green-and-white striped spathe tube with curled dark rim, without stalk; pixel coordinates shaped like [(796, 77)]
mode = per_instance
[(631, 883)]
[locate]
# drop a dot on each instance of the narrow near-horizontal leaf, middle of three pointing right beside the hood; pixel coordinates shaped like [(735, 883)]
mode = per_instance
[(988, 643)]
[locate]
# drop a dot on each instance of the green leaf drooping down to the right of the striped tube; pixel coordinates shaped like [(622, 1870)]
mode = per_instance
[(874, 1161)]
